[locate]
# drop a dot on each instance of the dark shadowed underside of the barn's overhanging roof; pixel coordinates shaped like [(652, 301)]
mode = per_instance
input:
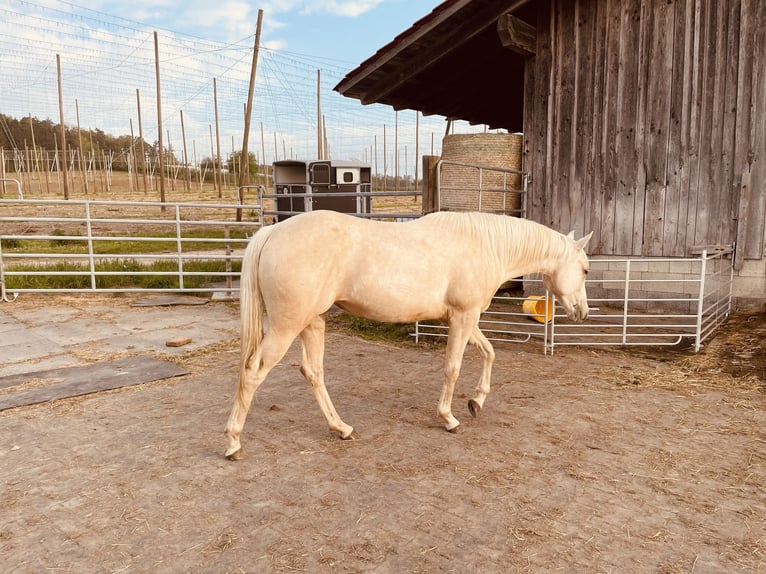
[(451, 62)]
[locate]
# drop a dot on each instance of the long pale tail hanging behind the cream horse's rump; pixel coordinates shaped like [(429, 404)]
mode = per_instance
[(251, 303)]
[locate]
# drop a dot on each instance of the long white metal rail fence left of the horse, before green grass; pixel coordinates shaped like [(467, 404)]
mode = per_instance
[(93, 243)]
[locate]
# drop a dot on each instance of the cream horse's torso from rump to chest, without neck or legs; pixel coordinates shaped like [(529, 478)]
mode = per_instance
[(380, 270)]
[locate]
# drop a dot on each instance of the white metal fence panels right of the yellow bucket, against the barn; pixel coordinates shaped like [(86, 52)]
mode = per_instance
[(655, 301)]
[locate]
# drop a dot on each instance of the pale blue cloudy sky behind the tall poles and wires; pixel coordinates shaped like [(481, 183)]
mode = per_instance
[(106, 49)]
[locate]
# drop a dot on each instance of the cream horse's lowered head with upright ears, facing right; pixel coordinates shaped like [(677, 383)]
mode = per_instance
[(567, 281)]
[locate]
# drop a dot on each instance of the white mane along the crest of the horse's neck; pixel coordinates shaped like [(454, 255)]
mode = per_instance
[(519, 236)]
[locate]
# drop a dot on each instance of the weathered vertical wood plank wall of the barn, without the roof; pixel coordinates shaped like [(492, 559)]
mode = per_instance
[(645, 121)]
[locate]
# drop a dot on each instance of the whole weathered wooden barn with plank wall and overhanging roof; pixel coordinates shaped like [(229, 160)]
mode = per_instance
[(643, 120)]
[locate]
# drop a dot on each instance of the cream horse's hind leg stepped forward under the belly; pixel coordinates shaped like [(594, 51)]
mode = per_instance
[(312, 367)]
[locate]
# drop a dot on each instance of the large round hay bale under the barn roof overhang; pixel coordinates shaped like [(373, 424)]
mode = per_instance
[(468, 188)]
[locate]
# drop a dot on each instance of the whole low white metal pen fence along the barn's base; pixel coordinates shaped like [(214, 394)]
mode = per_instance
[(634, 302)]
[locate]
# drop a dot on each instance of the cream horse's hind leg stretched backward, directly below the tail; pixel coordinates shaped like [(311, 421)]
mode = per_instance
[(272, 349)]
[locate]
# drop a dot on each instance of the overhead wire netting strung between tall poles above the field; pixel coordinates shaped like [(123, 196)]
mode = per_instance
[(106, 60)]
